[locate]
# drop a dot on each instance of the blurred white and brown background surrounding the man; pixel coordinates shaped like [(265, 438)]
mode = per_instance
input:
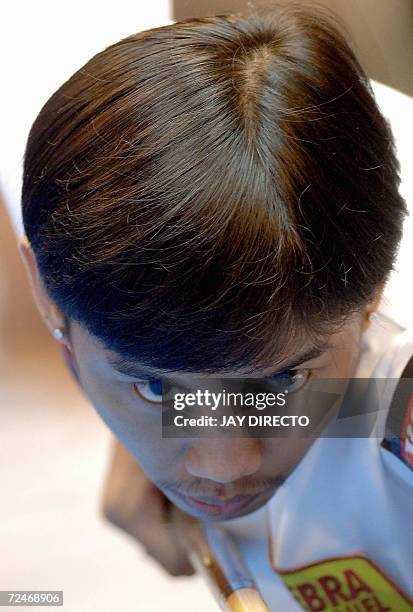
[(53, 448)]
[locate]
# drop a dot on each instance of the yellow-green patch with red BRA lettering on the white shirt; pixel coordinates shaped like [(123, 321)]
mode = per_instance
[(345, 584)]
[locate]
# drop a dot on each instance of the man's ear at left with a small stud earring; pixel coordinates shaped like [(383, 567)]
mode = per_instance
[(50, 312)]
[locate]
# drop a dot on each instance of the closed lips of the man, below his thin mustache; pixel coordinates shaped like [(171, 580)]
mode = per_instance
[(224, 508)]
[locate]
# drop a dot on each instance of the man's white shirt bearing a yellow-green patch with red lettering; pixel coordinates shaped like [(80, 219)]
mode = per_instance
[(346, 511)]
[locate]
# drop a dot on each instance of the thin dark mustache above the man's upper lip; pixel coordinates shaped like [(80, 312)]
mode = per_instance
[(208, 488)]
